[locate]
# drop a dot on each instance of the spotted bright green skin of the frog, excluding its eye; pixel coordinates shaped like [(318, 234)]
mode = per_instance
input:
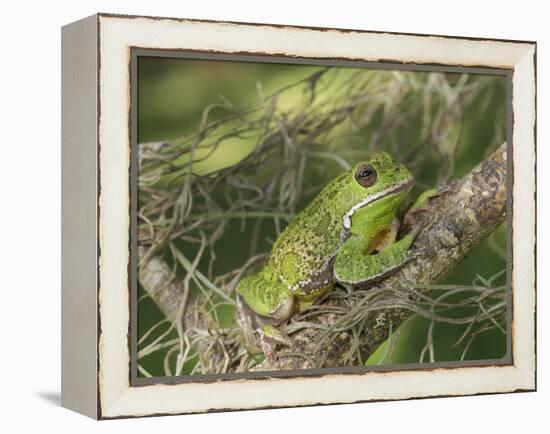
[(322, 246)]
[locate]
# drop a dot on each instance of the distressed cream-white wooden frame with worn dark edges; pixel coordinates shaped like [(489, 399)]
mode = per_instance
[(96, 308)]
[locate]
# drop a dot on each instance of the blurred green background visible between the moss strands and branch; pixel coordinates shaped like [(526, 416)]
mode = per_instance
[(172, 94)]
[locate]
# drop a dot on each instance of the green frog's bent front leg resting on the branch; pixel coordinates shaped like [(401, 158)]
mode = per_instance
[(354, 265)]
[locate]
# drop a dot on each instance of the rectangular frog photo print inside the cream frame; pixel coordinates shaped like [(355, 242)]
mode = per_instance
[(294, 218)]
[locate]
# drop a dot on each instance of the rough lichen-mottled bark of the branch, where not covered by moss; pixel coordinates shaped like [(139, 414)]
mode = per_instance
[(451, 223)]
